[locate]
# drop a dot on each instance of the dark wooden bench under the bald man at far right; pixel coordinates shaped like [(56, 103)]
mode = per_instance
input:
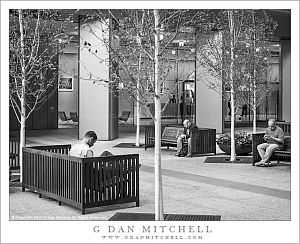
[(285, 153)]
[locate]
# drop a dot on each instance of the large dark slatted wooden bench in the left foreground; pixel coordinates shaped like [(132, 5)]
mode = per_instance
[(81, 182)]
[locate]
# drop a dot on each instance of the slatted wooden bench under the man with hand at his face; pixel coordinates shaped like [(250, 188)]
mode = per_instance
[(203, 139)]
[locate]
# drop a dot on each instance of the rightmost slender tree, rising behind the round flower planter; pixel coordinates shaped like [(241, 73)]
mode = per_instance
[(260, 31)]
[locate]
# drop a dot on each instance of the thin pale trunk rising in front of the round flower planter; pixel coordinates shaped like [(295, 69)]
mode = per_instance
[(231, 28)]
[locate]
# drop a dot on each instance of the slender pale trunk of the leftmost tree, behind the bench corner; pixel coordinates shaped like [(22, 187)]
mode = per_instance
[(22, 96)]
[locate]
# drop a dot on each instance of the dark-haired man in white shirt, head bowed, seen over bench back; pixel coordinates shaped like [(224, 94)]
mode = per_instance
[(83, 149)]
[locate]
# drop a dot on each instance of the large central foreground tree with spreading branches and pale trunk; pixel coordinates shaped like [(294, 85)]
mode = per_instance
[(138, 46)]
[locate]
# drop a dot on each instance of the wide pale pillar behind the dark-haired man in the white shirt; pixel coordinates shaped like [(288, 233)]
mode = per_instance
[(98, 107)]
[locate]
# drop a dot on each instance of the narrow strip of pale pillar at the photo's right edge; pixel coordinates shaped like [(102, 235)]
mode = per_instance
[(286, 80)]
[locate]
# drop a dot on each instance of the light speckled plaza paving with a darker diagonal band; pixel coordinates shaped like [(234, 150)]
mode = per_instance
[(190, 186)]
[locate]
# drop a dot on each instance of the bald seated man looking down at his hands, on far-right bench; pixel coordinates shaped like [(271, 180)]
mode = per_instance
[(274, 141)]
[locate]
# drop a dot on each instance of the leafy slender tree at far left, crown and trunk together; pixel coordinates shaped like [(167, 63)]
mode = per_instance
[(35, 37)]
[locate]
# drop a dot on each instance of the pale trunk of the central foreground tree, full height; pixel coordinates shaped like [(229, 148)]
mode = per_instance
[(157, 154)]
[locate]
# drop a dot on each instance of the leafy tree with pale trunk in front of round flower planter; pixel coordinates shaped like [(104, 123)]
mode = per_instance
[(228, 59)]
